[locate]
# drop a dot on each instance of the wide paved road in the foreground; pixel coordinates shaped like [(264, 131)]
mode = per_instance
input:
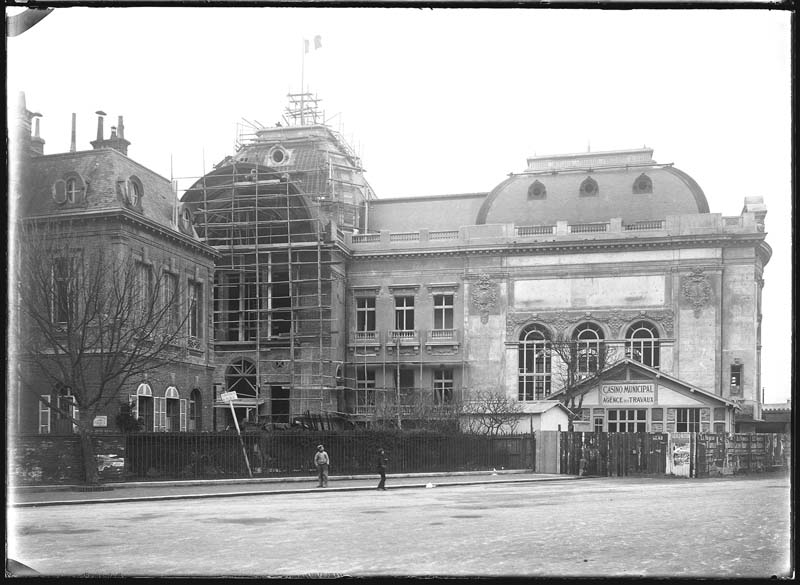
[(592, 527)]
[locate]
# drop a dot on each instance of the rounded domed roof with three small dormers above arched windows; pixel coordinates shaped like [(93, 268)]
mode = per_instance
[(593, 187)]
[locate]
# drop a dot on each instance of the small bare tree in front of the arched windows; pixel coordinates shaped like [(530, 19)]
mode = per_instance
[(575, 363)]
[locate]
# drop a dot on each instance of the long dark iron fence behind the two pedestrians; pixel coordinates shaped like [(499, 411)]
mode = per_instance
[(222, 455)]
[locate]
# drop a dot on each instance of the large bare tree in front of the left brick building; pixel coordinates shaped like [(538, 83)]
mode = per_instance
[(95, 320)]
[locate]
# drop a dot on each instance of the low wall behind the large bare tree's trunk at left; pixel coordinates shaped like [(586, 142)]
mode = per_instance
[(56, 459)]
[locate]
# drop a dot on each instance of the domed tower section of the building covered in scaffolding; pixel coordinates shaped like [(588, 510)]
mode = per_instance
[(277, 211)]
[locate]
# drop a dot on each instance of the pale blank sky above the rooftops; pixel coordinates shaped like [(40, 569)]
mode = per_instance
[(439, 101)]
